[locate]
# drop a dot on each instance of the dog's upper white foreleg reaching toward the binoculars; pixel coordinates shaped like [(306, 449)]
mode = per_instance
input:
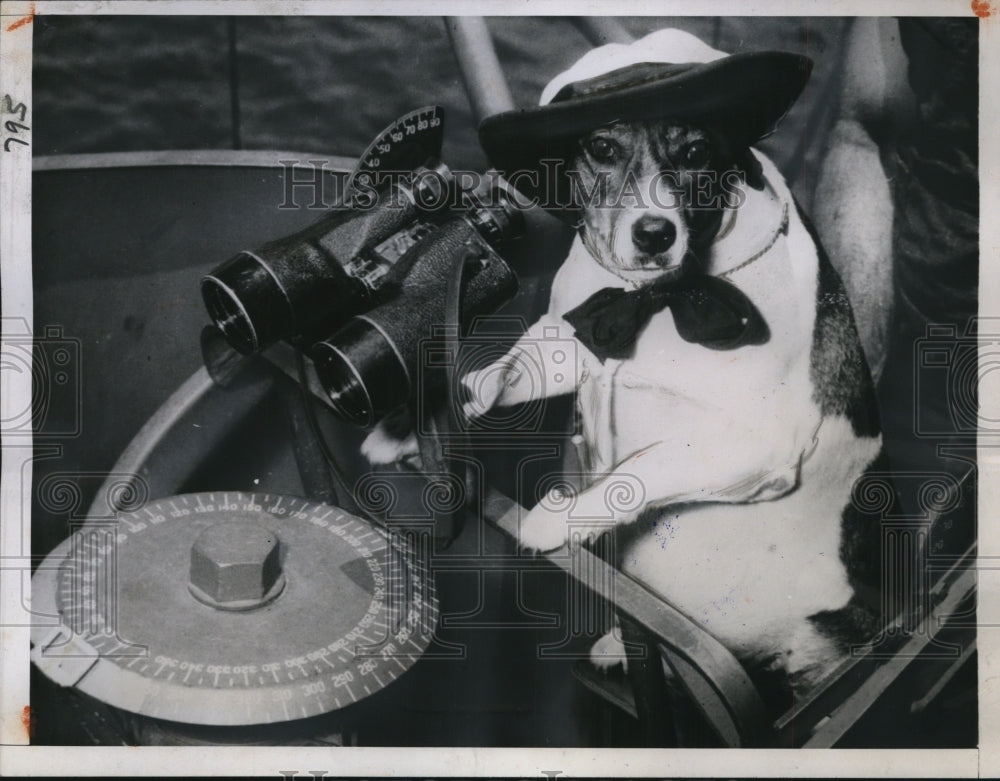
[(543, 363)]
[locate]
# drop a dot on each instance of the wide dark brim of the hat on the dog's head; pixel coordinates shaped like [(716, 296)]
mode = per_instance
[(744, 95)]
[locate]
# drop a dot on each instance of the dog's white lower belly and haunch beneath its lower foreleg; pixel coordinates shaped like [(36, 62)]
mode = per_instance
[(753, 572)]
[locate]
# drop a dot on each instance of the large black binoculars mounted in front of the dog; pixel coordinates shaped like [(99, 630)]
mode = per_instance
[(362, 288)]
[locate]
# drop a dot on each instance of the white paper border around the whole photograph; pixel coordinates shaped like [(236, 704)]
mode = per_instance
[(17, 758)]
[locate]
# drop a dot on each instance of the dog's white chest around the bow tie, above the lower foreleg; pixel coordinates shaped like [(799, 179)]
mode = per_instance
[(756, 397)]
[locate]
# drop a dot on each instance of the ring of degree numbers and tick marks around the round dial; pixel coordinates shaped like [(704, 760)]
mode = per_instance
[(390, 590)]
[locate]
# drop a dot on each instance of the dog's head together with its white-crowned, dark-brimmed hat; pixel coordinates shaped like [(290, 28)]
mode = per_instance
[(655, 136)]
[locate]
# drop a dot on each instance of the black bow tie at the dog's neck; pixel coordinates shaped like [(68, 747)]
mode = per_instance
[(707, 311)]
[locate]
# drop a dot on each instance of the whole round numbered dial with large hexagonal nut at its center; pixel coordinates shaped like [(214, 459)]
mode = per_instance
[(231, 609)]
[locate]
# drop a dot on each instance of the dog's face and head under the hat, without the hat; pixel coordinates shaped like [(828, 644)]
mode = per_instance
[(652, 194)]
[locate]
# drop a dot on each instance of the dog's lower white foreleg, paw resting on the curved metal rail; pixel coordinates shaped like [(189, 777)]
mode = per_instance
[(652, 478)]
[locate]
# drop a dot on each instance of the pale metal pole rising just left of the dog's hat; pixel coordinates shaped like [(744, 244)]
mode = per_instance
[(477, 60)]
